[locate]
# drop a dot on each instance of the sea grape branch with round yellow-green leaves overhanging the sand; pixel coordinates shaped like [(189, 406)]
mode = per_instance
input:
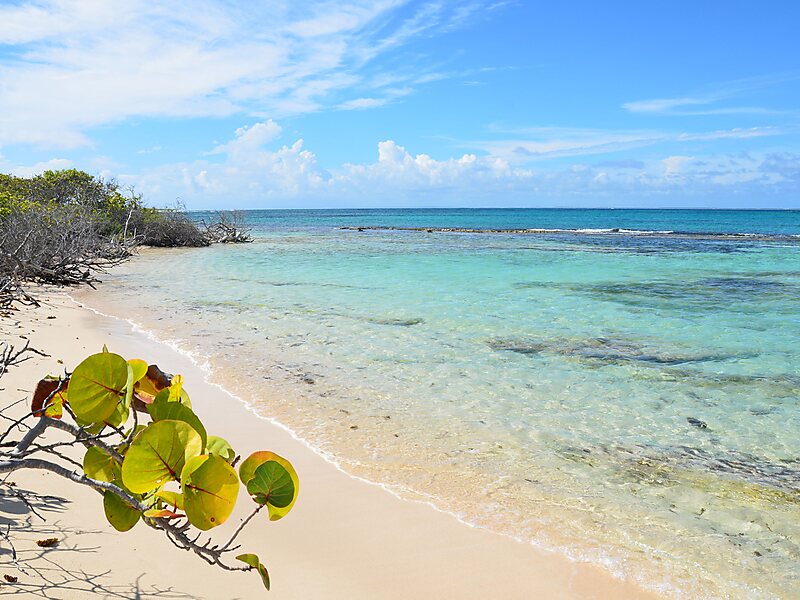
[(163, 468)]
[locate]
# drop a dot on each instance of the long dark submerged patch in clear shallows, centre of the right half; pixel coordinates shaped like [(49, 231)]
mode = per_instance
[(606, 351)]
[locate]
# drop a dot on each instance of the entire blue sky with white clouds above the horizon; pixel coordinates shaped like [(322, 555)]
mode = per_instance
[(391, 103)]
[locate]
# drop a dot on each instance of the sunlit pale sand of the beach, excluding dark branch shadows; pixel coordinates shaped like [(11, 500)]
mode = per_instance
[(326, 549)]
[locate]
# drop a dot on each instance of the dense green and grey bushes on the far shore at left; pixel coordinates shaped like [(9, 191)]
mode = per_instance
[(65, 227)]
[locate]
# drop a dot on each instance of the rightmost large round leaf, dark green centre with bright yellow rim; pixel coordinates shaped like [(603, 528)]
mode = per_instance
[(276, 484)]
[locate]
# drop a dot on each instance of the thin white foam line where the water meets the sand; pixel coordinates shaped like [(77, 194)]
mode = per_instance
[(609, 563)]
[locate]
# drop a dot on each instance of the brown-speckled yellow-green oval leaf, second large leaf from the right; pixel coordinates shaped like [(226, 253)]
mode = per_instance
[(210, 488)]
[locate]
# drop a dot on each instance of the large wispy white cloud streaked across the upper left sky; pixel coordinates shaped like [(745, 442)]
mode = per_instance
[(67, 66)]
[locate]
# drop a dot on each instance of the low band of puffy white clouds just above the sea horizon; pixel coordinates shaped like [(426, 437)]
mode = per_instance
[(290, 176)]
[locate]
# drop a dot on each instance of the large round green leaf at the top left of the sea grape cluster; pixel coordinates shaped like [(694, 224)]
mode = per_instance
[(96, 386)]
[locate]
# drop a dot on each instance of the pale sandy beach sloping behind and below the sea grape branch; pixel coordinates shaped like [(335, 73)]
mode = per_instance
[(346, 538)]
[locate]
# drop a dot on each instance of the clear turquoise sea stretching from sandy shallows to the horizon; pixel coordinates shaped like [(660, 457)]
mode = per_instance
[(626, 399)]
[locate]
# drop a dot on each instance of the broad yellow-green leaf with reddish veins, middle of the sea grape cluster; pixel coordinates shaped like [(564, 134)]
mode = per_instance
[(158, 454)]
